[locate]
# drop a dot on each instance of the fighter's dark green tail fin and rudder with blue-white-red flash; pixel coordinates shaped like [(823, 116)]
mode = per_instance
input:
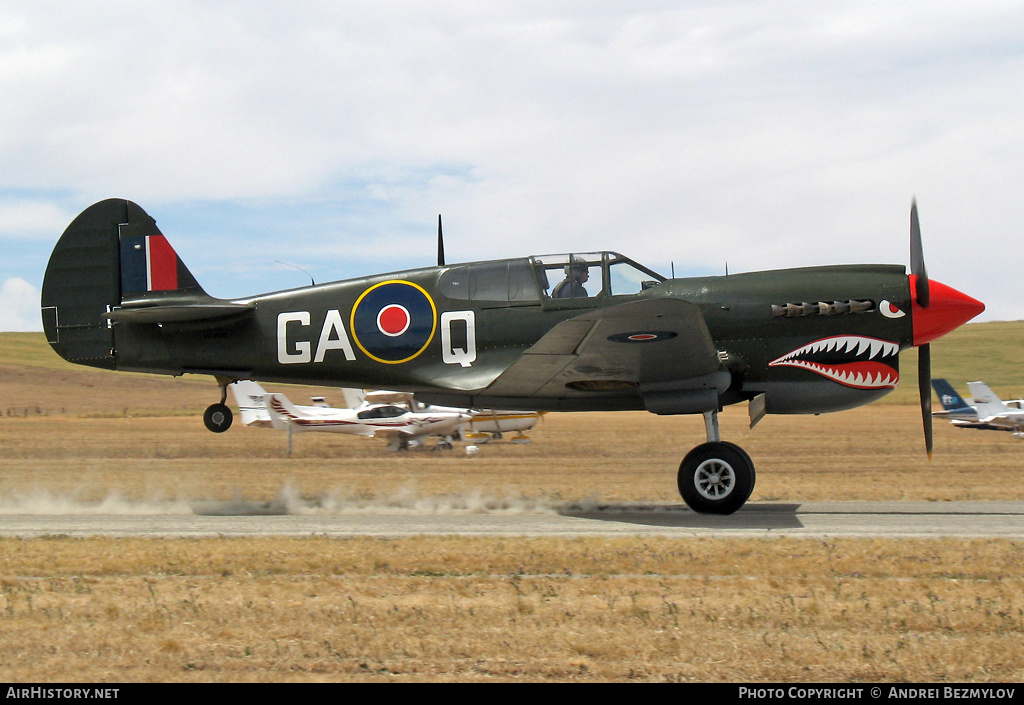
[(113, 253)]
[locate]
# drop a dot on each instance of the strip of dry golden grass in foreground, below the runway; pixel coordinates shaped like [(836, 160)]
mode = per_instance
[(484, 609)]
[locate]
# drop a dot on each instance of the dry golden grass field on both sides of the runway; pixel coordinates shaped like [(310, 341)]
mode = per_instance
[(488, 609)]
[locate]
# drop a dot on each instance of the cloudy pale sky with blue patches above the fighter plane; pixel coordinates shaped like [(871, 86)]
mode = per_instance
[(330, 136)]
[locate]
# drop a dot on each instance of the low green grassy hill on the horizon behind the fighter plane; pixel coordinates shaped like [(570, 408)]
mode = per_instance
[(990, 352)]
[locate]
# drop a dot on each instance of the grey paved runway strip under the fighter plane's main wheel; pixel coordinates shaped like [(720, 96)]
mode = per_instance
[(813, 520)]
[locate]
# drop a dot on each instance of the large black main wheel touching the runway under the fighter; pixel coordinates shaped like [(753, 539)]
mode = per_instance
[(716, 478)]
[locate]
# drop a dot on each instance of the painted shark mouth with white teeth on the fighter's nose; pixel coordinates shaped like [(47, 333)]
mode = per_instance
[(854, 361)]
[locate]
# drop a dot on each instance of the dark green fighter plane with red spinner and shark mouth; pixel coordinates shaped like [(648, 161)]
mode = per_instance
[(493, 335)]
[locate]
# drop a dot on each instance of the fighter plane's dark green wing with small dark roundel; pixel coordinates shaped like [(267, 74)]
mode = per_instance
[(657, 345)]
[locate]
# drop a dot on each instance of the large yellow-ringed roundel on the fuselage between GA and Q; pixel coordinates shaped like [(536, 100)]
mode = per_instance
[(394, 322)]
